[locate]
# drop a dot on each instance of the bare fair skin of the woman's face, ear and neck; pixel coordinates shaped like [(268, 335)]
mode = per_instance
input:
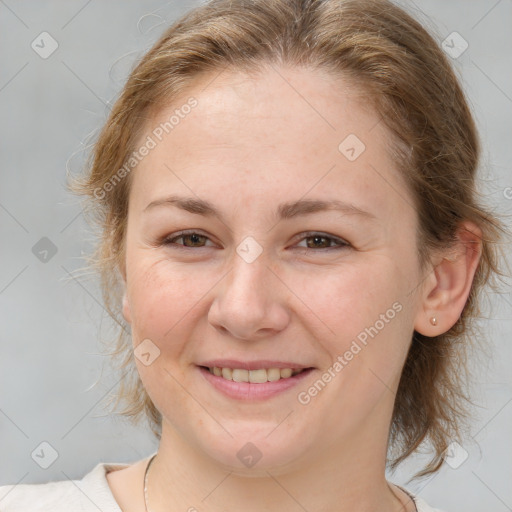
[(252, 143)]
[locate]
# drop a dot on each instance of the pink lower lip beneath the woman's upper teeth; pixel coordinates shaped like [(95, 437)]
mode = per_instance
[(248, 391)]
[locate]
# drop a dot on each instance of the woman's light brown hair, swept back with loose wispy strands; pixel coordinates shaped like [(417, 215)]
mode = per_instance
[(383, 51)]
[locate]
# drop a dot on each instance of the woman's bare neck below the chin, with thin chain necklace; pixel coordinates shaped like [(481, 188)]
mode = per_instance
[(344, 479)]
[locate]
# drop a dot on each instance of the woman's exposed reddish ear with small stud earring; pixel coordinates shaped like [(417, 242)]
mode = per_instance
[(447, 289)]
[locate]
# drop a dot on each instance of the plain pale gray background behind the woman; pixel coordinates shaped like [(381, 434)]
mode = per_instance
[(51, 381)]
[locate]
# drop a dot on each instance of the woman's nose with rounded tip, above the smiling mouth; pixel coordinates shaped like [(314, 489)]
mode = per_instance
[(250, 302)]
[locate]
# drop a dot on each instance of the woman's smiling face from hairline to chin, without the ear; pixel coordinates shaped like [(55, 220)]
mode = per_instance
[(268, 277)]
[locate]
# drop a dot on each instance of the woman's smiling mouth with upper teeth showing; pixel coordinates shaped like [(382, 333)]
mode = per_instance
[(252, 381)]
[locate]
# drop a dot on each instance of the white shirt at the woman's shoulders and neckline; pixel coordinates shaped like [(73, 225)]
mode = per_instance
[(89, 494)]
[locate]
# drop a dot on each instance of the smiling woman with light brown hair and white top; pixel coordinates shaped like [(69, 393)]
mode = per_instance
[(290, 232)]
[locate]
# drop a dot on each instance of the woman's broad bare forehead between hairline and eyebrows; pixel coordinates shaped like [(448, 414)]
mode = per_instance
[(282, 130)]
